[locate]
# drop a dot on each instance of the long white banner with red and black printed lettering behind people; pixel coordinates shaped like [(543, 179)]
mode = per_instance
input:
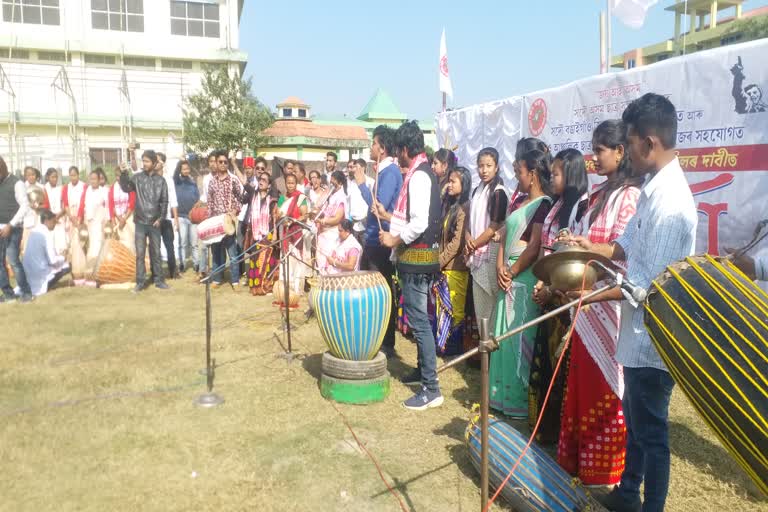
[(722, 138)]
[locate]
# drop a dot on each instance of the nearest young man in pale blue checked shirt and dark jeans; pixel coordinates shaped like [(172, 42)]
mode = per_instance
[(662, 232)]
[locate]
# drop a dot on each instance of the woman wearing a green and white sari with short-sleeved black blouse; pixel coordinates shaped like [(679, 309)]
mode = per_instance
[(511, 364)]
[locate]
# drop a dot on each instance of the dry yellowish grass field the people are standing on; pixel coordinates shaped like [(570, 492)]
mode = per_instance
[(96, 413)]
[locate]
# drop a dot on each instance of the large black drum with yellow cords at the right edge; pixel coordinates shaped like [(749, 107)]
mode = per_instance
[(709, 324)]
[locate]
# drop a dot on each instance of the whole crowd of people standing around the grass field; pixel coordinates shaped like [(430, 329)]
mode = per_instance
[(449, 251)]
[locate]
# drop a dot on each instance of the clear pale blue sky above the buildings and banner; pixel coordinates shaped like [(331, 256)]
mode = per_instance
[(334, 54)]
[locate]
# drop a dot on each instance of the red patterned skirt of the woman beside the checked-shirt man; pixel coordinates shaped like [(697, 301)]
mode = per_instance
[(593, 435)]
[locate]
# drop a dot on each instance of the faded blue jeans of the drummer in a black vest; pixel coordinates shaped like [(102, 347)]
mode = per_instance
[(415, 289)]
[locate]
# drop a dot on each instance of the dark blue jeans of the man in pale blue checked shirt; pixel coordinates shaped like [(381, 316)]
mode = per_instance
[(646, 411)]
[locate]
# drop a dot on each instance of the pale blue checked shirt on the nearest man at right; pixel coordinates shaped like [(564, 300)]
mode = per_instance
[(662, 232)]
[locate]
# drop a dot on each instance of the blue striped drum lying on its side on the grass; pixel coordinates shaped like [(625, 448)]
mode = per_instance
[(538, 484)]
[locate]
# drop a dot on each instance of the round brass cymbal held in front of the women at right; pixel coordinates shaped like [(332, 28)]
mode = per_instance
[(564, 269)]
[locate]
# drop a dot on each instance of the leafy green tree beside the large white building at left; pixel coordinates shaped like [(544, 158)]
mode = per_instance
[(224, 114)]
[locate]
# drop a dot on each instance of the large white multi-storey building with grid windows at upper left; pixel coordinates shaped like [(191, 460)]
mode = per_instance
[(83, 78)]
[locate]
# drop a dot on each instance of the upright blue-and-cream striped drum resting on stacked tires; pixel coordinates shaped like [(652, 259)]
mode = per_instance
[(352, 309)]
